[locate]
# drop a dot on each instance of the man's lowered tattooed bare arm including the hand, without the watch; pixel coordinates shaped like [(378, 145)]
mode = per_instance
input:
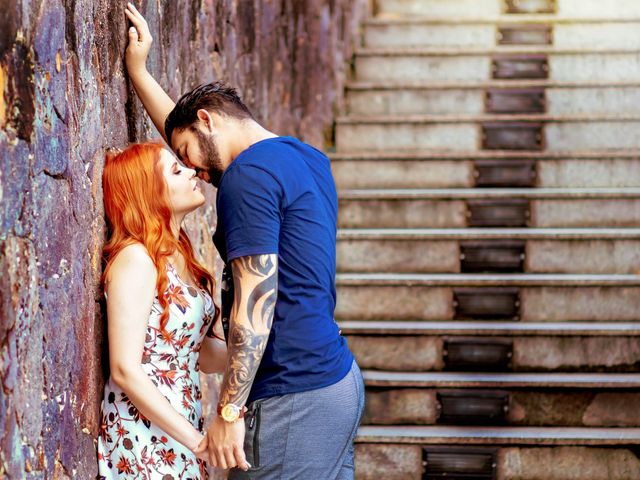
[(255, 281)]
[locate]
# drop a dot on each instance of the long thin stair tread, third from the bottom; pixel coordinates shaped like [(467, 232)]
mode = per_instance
[(468, 328)]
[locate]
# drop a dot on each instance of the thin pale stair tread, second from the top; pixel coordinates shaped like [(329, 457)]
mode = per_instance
[(479, 51)]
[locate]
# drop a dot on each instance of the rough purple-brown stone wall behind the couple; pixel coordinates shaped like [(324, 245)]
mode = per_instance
[(65, 98)]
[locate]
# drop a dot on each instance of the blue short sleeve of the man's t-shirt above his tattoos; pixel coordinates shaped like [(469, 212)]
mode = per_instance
[(250, 205)]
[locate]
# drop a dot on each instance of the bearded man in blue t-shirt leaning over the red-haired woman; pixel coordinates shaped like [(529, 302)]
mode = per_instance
[(289, 373)]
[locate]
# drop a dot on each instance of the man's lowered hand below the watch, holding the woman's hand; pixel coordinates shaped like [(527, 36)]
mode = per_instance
[(225, 444)]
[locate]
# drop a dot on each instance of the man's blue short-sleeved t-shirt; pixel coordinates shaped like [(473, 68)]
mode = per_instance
[(278, 197)]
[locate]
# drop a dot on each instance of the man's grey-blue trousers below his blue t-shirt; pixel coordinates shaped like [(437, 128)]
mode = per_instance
[(307, 435)]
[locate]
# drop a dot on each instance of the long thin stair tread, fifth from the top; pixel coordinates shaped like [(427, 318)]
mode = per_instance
[(475, 155)]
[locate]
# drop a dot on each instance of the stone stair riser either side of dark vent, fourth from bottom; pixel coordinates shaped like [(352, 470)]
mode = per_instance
[(537, 304)]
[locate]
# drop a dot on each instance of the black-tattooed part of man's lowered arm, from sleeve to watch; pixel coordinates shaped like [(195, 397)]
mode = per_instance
[(247, 341)]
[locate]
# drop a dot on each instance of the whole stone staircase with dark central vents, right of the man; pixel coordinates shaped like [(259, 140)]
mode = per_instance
[(488, 168)]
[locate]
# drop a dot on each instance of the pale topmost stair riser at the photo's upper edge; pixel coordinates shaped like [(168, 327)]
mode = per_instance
[(492, 8)]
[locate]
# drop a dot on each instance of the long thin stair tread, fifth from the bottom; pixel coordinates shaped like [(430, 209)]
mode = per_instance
[(487, 233)]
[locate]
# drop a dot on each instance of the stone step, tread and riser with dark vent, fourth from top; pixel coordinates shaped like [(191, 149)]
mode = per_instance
[(476, 132)]
